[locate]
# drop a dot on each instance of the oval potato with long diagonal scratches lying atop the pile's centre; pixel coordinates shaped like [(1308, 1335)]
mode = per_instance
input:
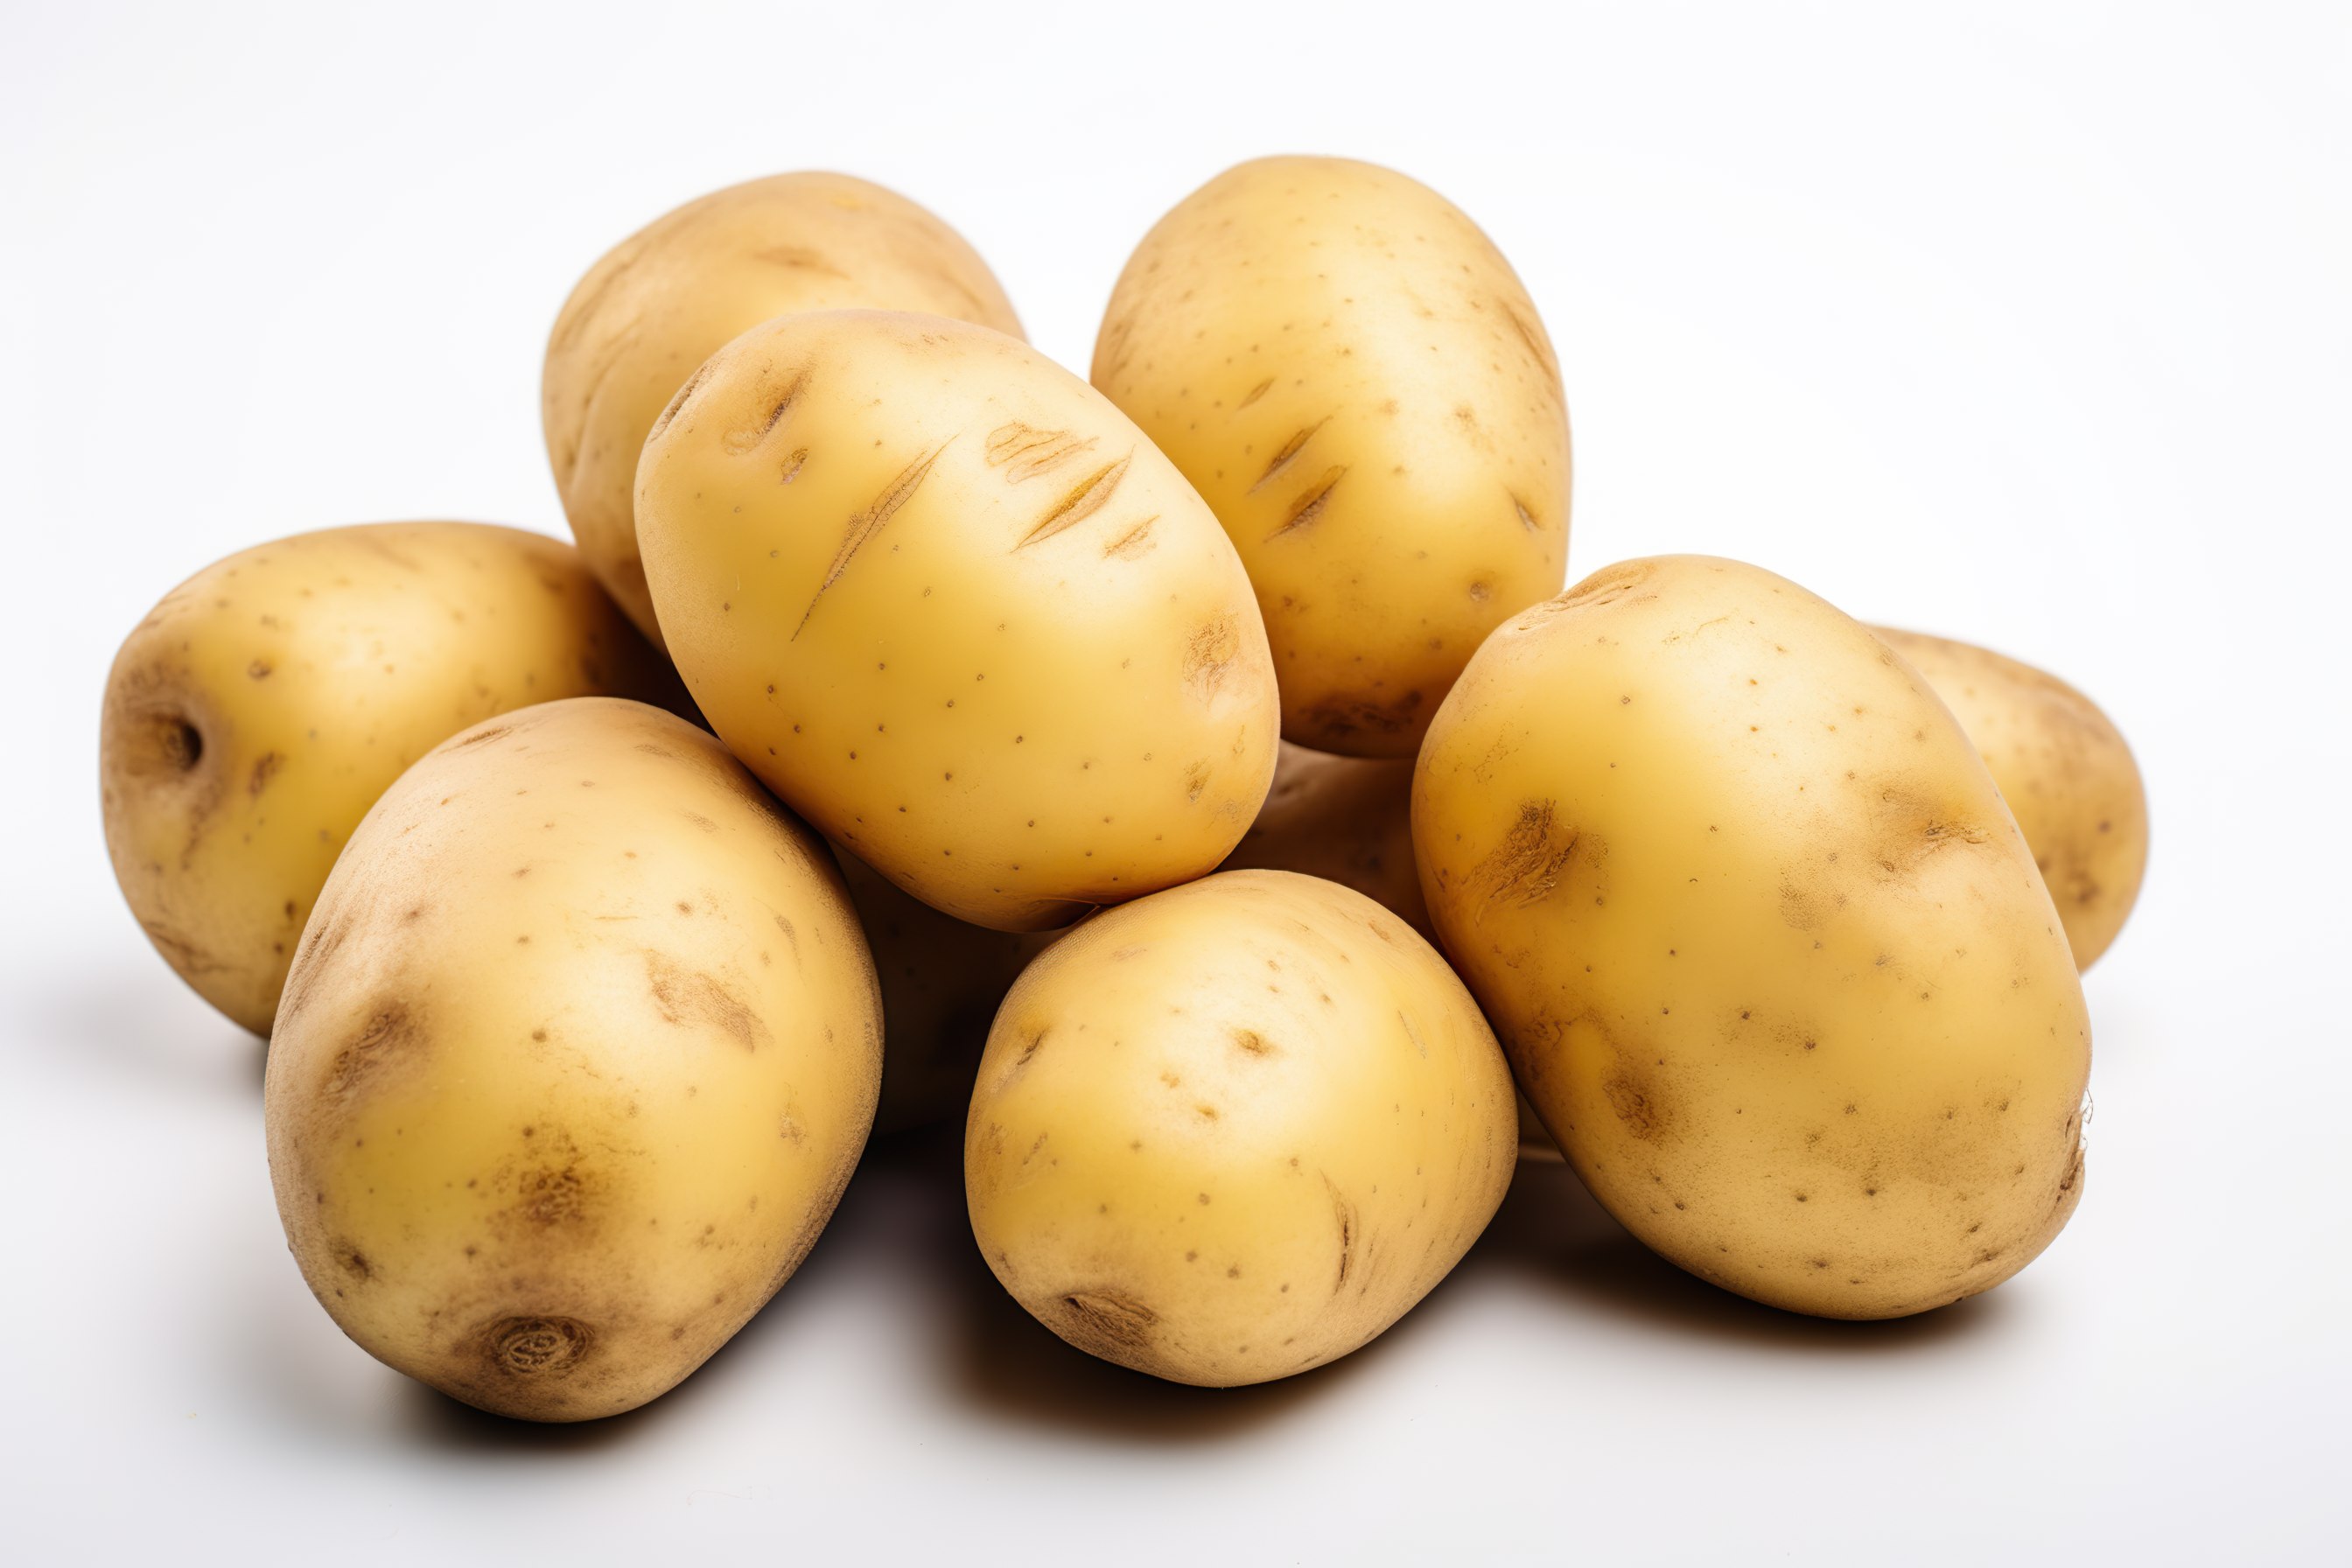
[(958, 615)]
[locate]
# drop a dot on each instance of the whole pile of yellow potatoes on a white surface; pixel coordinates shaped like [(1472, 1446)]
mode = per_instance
[(1196, 779)]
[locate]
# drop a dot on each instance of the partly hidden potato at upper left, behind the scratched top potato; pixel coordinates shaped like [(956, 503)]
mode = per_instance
[(681, 288)]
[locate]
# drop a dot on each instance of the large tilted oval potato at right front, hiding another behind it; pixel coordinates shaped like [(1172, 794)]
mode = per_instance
[(1760, 937)]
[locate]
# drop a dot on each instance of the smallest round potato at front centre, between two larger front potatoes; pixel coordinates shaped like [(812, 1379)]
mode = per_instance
[(1236, 1130)]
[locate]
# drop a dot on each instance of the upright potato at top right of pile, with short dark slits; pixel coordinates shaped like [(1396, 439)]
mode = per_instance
[(1363, 391)]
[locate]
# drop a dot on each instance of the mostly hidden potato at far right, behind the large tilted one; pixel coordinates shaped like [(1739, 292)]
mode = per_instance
[(2064, 770)]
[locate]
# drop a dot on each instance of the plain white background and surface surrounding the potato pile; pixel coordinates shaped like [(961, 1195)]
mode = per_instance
[(2019, 326)]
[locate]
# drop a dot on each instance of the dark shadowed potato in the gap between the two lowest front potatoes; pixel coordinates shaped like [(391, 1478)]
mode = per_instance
[(942, 984)]
